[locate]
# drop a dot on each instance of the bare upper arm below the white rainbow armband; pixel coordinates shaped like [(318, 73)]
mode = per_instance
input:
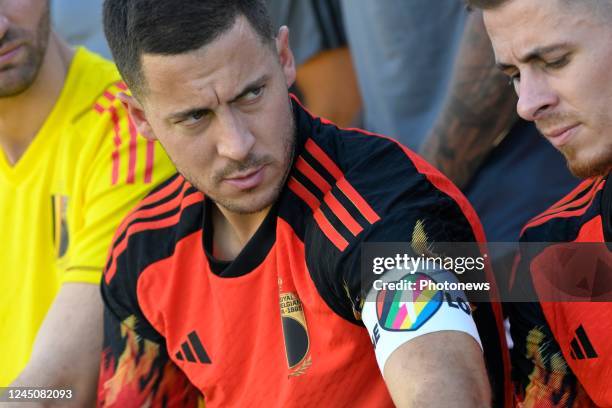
[(440, 369)]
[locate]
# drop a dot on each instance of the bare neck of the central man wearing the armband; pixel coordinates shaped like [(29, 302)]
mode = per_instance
[(231, 231)]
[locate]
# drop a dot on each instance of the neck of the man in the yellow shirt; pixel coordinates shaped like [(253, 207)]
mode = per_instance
[(35, 103)]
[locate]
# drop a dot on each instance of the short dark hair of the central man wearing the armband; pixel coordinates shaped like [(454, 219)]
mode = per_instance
[(170, 27)]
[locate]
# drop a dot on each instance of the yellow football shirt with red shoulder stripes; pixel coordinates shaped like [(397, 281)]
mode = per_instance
[(62, 201)]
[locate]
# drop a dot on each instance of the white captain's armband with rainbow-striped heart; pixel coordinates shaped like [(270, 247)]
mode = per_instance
[(411, 306)]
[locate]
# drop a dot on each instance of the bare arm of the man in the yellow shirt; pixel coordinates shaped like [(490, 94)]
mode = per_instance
[(66, 353)]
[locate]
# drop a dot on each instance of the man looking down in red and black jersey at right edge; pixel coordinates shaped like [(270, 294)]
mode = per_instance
[(558, 55)]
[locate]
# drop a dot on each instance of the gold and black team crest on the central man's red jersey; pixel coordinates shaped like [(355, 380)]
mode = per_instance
[(295, 333)]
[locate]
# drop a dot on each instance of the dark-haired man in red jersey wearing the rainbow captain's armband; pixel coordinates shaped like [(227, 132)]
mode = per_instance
[(242, 275)]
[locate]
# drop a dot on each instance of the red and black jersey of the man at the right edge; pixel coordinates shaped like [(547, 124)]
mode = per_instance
[(562, 353)]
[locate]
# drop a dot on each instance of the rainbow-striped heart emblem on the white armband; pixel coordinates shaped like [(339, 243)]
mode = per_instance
[(407, 310)]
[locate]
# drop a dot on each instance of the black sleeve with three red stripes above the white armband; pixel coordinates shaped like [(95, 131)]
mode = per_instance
[(353, 187)]
